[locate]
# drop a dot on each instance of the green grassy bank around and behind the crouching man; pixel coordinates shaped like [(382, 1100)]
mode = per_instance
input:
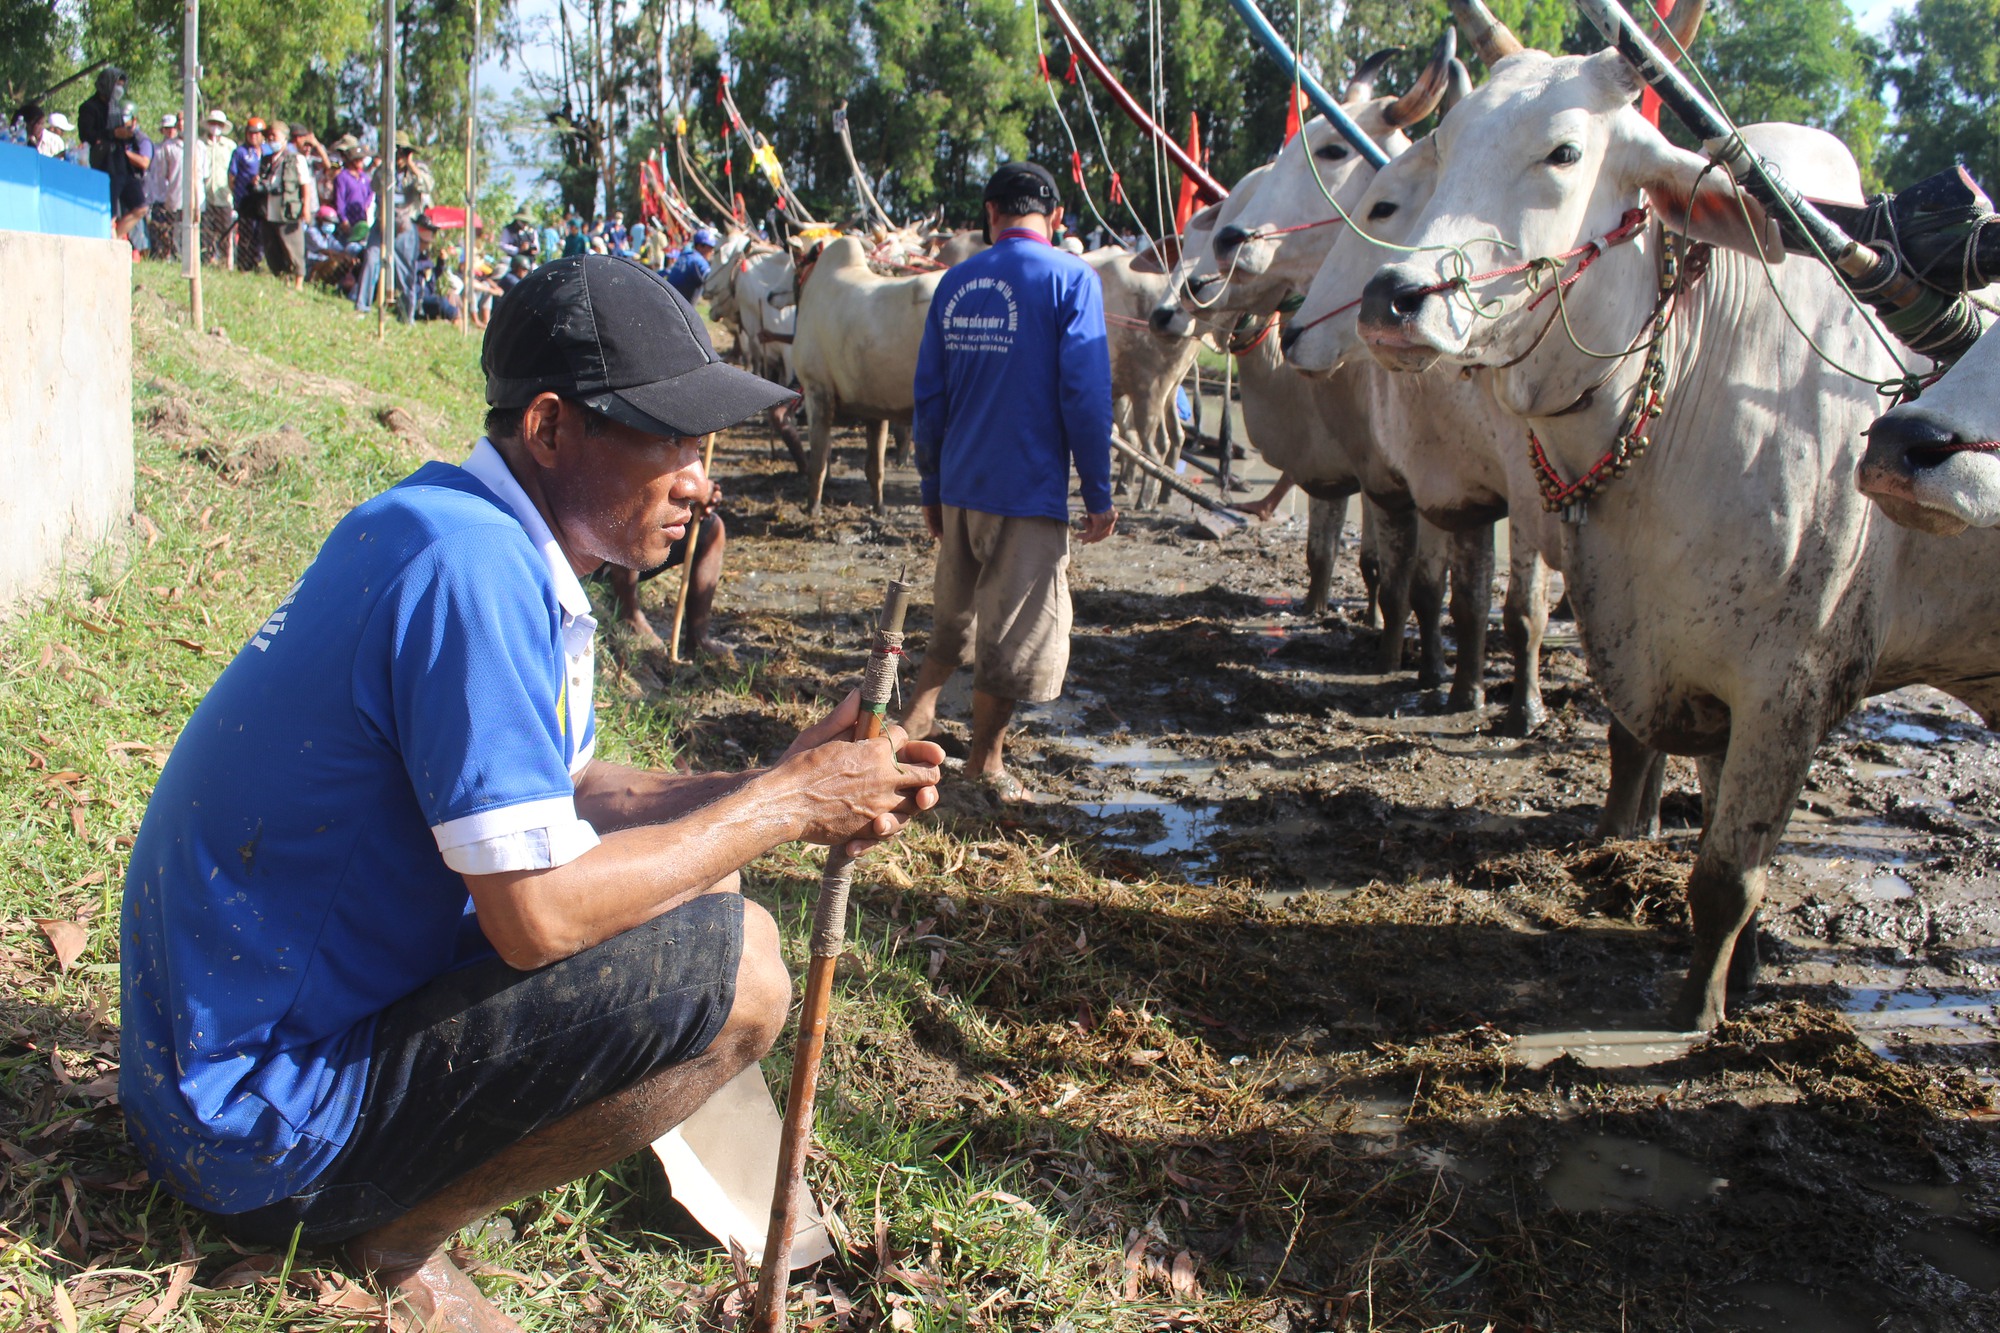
[(95, 686)]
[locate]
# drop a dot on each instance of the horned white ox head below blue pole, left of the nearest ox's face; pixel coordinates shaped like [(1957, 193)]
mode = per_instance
[(1257, 251)]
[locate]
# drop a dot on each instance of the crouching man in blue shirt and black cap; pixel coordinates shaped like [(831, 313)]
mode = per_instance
[(397, 948)]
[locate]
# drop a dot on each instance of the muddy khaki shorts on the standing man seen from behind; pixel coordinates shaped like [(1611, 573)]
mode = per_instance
[(1003, 601)]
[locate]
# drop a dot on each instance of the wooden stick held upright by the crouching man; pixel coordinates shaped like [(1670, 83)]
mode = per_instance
[(829, 936)]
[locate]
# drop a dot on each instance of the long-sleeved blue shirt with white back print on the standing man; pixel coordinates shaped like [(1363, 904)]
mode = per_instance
[(1015, 383)]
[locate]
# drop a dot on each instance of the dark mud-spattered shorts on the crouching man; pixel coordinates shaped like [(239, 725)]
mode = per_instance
[(483, 1058)]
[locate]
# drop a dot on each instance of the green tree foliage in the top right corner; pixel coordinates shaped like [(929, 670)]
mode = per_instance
[(1945, 67)]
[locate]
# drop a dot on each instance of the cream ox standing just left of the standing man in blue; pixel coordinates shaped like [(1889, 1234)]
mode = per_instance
[(855, 353)]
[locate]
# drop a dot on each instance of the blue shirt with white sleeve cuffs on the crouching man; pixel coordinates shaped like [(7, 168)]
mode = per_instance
[(415, 710)]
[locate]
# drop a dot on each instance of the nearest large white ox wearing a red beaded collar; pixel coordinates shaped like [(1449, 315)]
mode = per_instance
[(1737, 593)]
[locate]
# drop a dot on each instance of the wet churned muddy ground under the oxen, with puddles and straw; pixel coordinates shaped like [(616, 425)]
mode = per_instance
[(1397, 1060)]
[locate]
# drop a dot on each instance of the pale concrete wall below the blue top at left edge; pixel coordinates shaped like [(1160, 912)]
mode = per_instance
[(65, 403)]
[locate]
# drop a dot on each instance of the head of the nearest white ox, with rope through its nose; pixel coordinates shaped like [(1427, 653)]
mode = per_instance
[(1539, 161)]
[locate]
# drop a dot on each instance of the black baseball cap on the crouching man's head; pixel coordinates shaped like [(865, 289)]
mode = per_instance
[(613, 335)]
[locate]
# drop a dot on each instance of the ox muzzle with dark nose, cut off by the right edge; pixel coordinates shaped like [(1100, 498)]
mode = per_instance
[(1935, 465)]
